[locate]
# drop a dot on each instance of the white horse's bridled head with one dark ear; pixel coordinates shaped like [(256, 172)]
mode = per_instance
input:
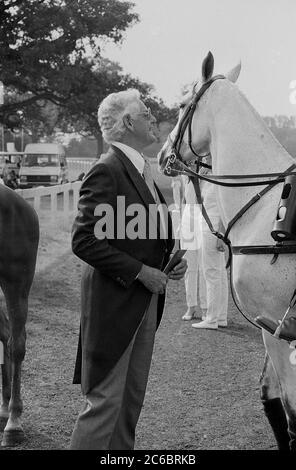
[(182, 144)]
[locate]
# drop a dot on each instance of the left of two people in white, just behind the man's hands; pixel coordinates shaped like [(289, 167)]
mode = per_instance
[(189, 231)]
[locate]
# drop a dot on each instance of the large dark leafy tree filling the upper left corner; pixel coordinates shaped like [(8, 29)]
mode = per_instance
[(48, 49)]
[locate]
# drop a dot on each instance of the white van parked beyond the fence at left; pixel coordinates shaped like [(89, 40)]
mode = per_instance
[(43, 165)]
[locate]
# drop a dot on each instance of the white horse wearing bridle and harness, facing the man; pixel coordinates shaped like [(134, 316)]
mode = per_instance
[(225, 124)]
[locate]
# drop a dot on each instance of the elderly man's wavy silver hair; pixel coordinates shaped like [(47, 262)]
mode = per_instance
[(113, 108)]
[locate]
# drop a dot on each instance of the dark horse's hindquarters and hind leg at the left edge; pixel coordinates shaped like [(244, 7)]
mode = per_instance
[(19, 237)]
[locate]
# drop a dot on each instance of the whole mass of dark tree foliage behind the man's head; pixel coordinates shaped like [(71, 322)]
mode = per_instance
[(52, 68)]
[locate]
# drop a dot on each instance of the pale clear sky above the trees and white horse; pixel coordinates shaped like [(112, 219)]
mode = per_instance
[(167, 46)]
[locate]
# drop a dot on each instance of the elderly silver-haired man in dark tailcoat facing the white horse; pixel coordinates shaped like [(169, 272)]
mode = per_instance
[(123, 286)]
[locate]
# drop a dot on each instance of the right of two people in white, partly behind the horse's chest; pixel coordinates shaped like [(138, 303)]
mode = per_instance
[(213, 262)]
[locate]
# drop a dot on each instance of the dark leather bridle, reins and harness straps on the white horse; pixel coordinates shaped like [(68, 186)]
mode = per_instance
[(175, 166)]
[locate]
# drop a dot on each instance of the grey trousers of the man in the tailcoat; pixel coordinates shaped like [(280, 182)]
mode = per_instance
[(112, 408)]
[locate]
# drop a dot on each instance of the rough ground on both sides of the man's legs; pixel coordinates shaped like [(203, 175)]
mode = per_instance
[(203, 390)]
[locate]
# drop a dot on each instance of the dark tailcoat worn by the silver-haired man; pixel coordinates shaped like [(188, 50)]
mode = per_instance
[(112, 301)]
